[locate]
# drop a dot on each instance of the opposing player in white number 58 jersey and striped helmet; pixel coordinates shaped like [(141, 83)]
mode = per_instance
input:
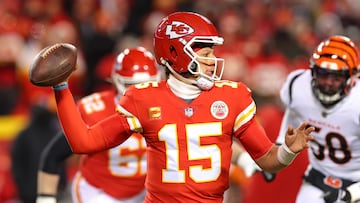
[(332, 105)]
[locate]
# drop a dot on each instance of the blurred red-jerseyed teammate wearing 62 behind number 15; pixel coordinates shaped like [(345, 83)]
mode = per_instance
[(116, 175)]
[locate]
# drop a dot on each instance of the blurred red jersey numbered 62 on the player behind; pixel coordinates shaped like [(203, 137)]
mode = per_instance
[(119, 171)]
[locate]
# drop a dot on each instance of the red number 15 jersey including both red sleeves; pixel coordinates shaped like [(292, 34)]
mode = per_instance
[(188, 145)]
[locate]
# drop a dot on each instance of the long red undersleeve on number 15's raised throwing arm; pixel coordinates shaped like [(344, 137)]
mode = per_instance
[(105, 134)]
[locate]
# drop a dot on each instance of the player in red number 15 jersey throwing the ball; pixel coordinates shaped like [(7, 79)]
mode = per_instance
[(188, 121)]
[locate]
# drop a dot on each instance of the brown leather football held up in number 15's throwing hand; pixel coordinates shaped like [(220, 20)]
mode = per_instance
[(53, 64)]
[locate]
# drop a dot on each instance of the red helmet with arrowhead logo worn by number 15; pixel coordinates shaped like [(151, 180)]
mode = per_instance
[(174, 40)]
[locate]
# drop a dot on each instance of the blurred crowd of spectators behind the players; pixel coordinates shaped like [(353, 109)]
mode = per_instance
[(264, 40)]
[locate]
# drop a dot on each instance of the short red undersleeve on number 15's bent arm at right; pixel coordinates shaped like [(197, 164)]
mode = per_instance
[(254, 139)]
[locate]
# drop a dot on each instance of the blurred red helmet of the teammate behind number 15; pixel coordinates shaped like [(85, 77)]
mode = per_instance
[(132, 66)]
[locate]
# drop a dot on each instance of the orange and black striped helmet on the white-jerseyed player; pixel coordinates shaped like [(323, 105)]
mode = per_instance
[(336, 56)]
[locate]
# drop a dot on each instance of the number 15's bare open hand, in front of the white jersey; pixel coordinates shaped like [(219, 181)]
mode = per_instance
[(298, 139)]
